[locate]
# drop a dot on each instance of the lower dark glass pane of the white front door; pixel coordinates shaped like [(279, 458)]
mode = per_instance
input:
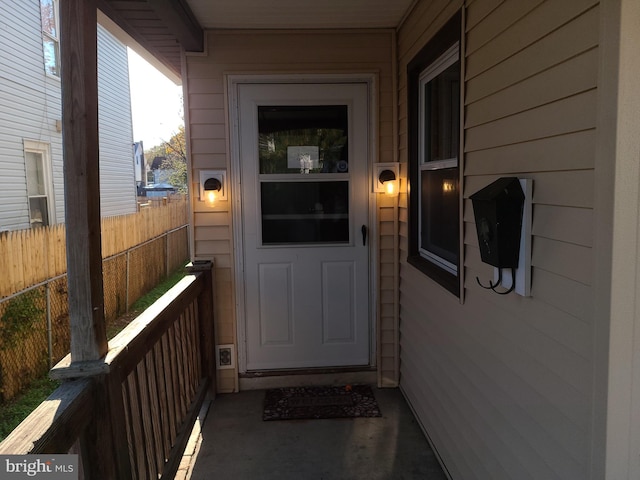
[(305, 212)]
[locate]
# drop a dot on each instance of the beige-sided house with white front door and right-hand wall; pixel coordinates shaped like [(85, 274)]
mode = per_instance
[(292, 112)]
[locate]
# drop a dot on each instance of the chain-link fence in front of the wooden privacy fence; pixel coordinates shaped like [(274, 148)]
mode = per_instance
[(34, 323)]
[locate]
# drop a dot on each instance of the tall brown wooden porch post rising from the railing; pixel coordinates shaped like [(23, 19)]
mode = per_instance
[(78, 42)]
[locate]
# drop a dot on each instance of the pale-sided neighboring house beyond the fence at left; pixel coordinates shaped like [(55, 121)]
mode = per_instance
[(31, 184)]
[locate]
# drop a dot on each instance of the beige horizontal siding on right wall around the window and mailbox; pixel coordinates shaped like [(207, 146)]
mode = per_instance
[(503, 385)]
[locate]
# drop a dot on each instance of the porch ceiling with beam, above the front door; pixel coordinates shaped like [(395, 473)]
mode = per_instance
[(164, 27)]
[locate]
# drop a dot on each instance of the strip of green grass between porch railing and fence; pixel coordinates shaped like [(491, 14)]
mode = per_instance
[(13, 412)]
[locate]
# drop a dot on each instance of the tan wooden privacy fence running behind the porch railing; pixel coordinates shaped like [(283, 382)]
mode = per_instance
[(34, 323)]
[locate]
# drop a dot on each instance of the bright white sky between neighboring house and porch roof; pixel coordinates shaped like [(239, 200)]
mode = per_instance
[(156, 103)]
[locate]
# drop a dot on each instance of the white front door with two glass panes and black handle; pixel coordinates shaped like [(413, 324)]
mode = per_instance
[(303, 152)]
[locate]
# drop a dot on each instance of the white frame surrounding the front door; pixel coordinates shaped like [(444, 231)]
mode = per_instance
[(232, 82)]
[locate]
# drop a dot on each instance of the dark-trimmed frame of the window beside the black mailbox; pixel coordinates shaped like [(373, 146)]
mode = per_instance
[(443, 50)]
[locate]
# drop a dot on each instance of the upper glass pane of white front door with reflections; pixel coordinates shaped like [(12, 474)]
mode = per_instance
[(303, 139)]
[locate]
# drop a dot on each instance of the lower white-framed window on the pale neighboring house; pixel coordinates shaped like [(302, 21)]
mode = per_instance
[(37, 158)]
